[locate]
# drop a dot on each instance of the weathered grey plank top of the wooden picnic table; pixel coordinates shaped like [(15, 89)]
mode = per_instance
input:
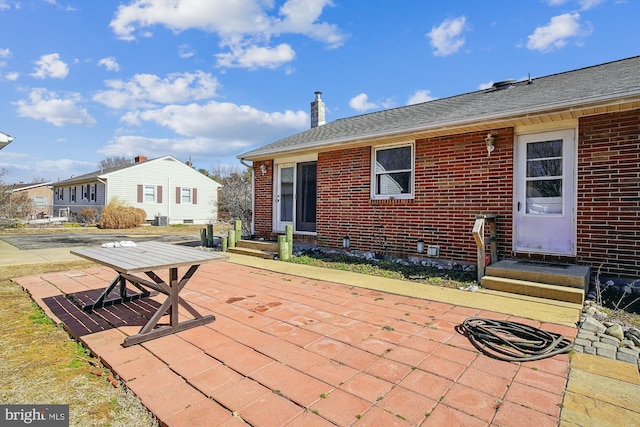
[(147, 256)]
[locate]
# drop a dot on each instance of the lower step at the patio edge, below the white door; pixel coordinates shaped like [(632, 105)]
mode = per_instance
[(534, 289)]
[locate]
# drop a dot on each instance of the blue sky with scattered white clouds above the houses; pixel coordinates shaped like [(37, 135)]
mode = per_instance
[(206, 80)]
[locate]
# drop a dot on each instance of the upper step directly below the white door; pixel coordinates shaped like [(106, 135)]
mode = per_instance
[(567, 275)]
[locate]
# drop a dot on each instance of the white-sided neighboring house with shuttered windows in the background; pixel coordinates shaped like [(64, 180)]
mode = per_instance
[(169, 191)]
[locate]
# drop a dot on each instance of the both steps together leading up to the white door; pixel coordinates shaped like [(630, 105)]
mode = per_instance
[(560, 282)]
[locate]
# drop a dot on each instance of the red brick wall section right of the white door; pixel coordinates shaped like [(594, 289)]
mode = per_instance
[(609, 193)]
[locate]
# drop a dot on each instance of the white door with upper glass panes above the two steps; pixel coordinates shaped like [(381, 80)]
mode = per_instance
[(544, 217)]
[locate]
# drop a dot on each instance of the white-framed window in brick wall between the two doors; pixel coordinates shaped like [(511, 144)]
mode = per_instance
[(392, 172)]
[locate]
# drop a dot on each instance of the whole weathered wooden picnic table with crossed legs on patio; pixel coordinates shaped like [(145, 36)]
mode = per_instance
[(148, 258)]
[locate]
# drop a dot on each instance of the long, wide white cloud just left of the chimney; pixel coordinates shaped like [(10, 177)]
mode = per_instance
[(218, 129)]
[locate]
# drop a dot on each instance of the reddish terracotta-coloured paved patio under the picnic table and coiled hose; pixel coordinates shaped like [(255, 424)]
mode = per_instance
[(287, 350)]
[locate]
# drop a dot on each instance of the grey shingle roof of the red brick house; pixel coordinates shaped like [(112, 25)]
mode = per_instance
[(597, 83)]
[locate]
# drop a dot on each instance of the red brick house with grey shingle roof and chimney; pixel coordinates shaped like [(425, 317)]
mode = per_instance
[(557, 158)]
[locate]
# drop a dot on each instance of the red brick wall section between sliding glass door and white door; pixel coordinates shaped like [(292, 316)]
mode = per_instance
[(455, 180)]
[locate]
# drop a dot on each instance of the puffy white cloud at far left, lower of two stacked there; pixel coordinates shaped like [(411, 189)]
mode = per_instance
[(45, 105)]
